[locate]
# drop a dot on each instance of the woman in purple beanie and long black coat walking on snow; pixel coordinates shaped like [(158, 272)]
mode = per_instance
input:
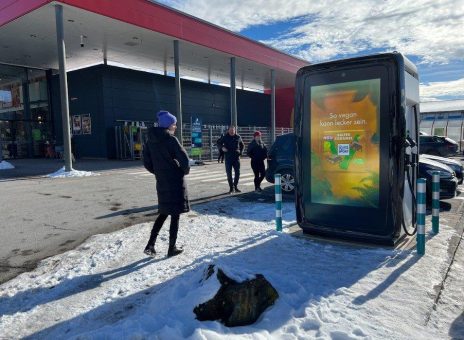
[(165, 157)]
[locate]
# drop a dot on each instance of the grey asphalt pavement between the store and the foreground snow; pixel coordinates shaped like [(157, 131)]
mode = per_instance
[(41, 217)]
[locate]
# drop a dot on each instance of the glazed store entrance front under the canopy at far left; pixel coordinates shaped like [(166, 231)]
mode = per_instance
[(26, 121)]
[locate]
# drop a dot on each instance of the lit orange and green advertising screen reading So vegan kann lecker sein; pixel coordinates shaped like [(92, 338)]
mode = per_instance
[(345, 158)]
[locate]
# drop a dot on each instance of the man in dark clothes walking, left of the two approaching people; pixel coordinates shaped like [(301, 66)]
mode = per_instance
[(233, 146)]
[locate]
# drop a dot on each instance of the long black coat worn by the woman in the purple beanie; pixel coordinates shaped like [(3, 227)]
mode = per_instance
[(167, 159)]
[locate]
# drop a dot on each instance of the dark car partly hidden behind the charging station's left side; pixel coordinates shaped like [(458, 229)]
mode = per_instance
[(280, 161)]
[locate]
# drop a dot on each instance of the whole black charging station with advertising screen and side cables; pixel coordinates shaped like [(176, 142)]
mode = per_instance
[(356, 126)]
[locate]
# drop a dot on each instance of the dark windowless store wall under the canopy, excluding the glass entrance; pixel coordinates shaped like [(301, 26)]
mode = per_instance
[(104, 97)]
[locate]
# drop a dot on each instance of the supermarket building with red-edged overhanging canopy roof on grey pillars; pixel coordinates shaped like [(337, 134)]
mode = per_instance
[(124, 61)]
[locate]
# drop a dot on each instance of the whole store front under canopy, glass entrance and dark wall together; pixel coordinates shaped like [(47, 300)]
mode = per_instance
[(101, 98)]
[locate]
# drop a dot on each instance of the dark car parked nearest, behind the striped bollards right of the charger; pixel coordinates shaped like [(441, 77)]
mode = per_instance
[(448, 179)]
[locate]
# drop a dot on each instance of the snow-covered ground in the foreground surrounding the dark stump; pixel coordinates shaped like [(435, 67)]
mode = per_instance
[(107, 288)]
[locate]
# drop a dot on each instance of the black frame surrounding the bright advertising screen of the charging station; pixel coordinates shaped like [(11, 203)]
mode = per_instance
[(382, 225)]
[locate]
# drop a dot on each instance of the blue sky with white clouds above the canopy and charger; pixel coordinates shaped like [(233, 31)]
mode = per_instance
[(429, 32)]
